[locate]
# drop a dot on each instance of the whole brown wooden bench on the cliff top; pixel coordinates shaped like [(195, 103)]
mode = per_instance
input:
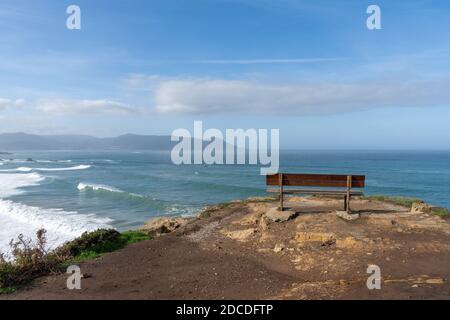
[(322, 183)]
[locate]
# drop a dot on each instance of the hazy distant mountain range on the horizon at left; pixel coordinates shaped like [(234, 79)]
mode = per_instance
[(23, 141)]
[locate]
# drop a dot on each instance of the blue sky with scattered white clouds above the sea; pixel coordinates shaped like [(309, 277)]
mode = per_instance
[(309, 68)]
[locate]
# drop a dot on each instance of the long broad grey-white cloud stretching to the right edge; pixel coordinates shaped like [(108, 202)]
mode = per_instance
[(212, 96)]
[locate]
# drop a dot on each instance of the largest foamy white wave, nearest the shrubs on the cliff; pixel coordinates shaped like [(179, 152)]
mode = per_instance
[(61, 226)]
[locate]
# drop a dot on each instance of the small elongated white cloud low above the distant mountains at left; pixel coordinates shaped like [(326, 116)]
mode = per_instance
[(83, 107)]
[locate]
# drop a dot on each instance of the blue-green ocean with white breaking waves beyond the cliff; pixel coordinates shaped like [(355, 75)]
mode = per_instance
[(69, 192)]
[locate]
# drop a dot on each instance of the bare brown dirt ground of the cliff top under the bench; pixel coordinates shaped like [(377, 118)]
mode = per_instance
[(238, 253)]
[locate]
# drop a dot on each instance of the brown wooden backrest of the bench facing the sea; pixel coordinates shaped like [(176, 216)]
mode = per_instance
[(315, 180)]
